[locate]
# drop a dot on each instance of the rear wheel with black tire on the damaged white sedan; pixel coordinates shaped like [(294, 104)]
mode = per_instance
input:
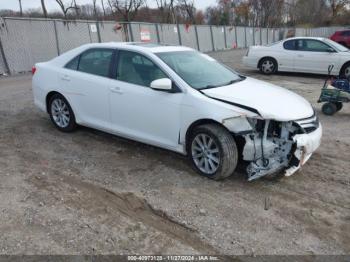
[(66, 110)]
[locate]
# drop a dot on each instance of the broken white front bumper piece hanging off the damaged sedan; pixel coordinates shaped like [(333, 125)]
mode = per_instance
[(306, 145)]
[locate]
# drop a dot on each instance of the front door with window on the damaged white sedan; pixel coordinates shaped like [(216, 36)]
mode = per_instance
[(138, 111)]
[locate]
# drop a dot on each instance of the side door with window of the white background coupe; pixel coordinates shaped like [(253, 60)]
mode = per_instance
[(314, 56)]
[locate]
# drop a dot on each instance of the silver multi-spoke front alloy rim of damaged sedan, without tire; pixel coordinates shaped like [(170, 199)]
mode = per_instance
[(205, 154)]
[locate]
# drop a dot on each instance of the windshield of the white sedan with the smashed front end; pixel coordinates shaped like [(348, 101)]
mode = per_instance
[(198, 70)]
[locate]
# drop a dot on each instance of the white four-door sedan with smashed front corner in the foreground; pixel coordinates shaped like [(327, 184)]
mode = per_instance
[(182, 100)]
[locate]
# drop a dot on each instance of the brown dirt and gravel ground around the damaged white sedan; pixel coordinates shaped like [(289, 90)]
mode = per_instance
[(93, 193)]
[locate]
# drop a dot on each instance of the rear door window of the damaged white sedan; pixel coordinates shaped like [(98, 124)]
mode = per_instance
[(96, 62)]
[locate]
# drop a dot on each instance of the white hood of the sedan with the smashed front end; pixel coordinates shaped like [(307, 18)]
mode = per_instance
[(271, 101)]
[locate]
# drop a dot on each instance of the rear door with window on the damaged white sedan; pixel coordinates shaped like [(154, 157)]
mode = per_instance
[(86, 82)]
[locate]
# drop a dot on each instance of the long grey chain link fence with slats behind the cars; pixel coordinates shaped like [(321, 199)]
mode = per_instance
[(26, 41)]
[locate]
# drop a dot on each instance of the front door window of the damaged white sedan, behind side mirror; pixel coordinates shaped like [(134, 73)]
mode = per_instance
[(137, 69)]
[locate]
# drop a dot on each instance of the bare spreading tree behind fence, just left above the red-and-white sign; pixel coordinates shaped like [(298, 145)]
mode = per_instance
[(127, 8)]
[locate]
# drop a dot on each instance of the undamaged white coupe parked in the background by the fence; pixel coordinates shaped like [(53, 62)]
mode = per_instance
[(300, 54)]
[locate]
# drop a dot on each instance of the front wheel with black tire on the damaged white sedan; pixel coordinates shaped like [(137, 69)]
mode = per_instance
[(222, 142)]
